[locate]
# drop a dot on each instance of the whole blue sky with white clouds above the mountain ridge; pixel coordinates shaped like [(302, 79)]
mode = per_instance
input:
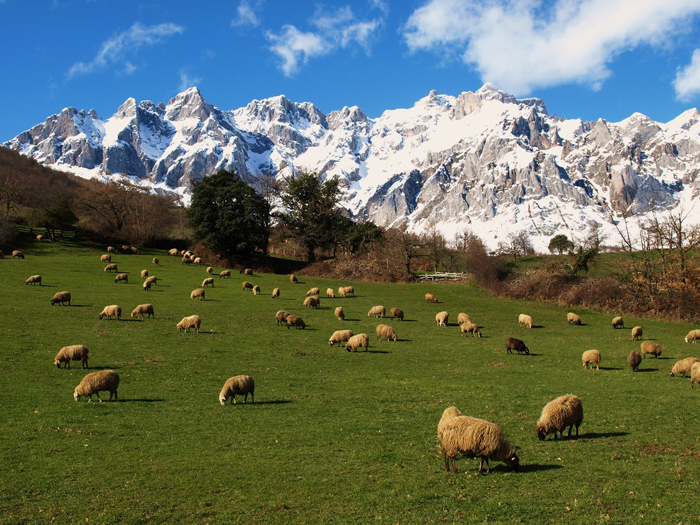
[(585, 58)]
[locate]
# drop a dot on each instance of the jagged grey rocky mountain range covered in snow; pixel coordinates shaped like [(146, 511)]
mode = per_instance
[(485, 160)]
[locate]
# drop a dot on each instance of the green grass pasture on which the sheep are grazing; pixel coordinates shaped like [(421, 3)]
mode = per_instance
[(333, 436)]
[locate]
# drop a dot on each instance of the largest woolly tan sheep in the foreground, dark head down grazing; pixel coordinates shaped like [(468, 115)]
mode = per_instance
[(470, 435)]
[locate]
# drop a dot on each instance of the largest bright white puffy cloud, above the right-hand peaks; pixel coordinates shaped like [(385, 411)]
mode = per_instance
[(519, 45)]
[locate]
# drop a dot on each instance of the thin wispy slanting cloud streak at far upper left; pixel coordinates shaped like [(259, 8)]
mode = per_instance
[(115, 50)]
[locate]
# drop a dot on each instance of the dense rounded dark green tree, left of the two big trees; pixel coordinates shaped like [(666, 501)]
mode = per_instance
[(228, 216)]
